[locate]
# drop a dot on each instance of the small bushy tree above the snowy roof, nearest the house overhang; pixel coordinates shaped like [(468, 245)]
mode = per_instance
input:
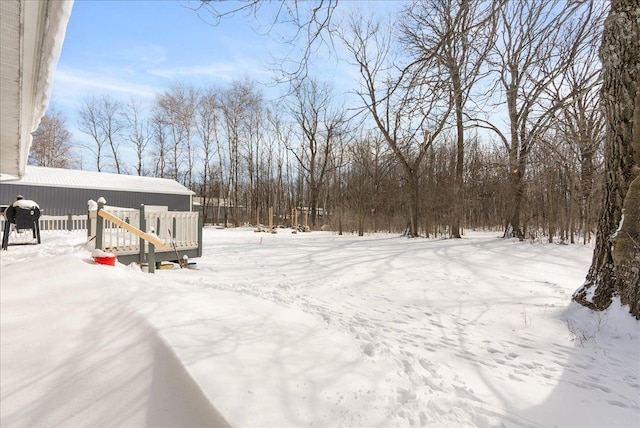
[(51, 145)]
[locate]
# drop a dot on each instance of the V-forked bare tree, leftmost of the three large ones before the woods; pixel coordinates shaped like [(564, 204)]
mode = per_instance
[(409, 110)]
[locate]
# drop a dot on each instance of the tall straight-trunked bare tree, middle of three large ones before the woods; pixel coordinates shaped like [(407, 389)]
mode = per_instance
[(454, 37)]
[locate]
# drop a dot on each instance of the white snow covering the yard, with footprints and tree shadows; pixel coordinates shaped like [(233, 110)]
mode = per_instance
[(314, 329)]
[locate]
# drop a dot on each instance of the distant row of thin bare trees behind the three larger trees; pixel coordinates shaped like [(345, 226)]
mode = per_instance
[(245, 159)]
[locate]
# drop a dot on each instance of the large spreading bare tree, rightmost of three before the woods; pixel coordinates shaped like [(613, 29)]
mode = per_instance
[(537, 42)]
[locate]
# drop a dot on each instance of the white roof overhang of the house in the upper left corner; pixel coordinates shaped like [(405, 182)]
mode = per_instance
[(32, 33)]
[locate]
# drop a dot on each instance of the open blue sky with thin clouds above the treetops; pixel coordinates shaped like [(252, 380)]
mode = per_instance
[(140, 47)]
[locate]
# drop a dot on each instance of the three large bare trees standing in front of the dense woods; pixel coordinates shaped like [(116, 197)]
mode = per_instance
[(535, 58)]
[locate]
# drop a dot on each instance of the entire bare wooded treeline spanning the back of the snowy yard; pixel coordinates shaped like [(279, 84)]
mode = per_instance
[(468, 114)]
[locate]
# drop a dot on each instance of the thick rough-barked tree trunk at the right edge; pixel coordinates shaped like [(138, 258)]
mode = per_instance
[(614, 269)]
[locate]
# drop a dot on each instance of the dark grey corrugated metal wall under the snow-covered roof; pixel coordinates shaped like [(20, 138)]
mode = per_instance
[(63, 201)]
